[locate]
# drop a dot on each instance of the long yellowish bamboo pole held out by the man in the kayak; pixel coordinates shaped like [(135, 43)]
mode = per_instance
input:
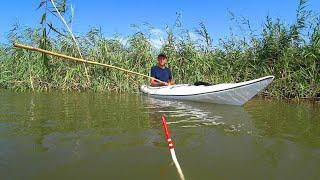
[(21, 46)]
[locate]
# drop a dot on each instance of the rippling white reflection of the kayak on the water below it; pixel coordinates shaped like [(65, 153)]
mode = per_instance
[(192, 114)]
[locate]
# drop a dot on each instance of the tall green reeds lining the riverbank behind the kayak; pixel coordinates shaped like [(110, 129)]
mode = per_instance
[(290, 52)]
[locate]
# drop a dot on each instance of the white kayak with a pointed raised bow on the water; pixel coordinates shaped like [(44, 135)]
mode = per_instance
[(226, 93)]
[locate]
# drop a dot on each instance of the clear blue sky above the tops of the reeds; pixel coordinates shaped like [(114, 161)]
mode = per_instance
[(117, 16)]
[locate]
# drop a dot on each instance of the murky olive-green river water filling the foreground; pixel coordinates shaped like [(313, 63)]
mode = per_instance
[(72, 135)]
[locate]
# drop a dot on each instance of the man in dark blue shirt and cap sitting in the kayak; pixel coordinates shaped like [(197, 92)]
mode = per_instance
[(161, 72)]
